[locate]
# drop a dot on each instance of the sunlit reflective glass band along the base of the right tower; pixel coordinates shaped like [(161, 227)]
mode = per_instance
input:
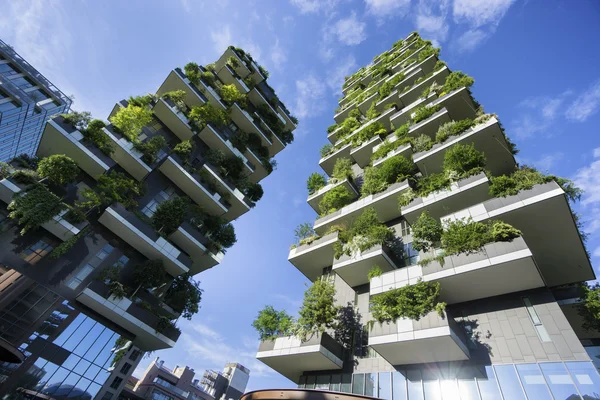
[(552, 380)]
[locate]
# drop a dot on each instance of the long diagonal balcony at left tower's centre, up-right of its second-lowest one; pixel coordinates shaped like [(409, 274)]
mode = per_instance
[(194, 186)]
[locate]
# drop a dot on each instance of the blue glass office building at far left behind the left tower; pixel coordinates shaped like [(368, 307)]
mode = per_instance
[(27, 101)]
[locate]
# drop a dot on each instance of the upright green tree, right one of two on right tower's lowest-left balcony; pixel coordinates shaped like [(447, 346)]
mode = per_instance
[(318, 312)]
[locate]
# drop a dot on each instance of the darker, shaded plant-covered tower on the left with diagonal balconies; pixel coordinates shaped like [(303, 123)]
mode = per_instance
[(104, 230)]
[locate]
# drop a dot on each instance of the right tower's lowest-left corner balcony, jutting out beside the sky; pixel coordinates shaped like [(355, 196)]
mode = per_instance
[(291, 357)]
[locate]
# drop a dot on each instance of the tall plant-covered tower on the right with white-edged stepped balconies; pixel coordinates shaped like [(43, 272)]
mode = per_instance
[(441, 268)]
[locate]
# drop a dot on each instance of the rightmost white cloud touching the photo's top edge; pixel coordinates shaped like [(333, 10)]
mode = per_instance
[(478, 13)]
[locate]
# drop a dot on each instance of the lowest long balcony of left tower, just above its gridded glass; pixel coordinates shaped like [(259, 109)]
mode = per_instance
[(115, 310)]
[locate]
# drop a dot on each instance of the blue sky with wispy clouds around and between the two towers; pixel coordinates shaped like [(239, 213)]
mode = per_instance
[(535, 64)]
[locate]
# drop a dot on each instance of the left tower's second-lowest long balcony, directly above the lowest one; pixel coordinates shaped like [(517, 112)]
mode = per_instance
[(144, 239)]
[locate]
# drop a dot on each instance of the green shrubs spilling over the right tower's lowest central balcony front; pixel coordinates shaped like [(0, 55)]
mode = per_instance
[(411, 301)]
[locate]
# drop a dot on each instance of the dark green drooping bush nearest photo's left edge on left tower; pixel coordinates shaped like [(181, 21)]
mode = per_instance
[(33, 207)]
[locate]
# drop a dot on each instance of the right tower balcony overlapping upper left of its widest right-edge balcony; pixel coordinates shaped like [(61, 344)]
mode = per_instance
[(469, 191)]
